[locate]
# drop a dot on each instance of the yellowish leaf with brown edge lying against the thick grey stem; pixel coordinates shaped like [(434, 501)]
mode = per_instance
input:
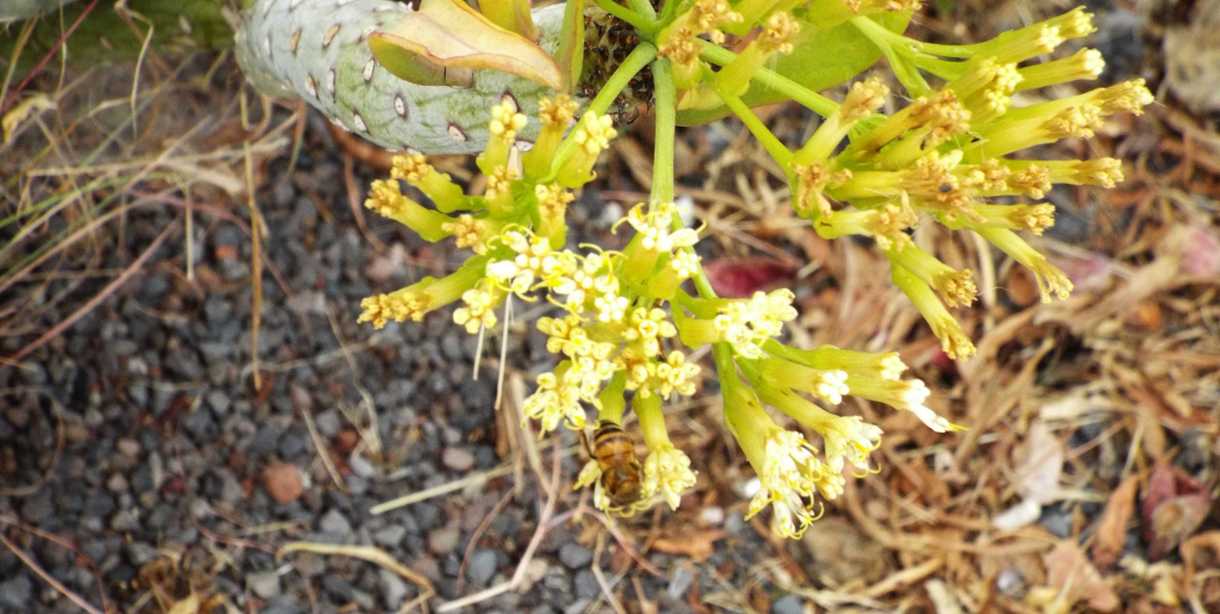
[(447, 40)]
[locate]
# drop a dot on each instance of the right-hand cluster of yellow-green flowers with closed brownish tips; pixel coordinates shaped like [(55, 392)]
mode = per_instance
[(947, 154)]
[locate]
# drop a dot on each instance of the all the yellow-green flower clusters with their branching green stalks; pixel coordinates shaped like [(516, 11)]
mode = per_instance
[(628, 323)]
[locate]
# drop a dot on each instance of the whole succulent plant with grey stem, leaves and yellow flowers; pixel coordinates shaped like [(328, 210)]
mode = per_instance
[(625, 324)]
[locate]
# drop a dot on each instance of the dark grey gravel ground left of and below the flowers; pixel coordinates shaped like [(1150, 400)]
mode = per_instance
[(167, 447)]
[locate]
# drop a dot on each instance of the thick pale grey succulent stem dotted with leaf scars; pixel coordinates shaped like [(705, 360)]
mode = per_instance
[(318, 51)]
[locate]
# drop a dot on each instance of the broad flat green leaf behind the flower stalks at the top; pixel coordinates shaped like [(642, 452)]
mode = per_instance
[(828, 52)]
